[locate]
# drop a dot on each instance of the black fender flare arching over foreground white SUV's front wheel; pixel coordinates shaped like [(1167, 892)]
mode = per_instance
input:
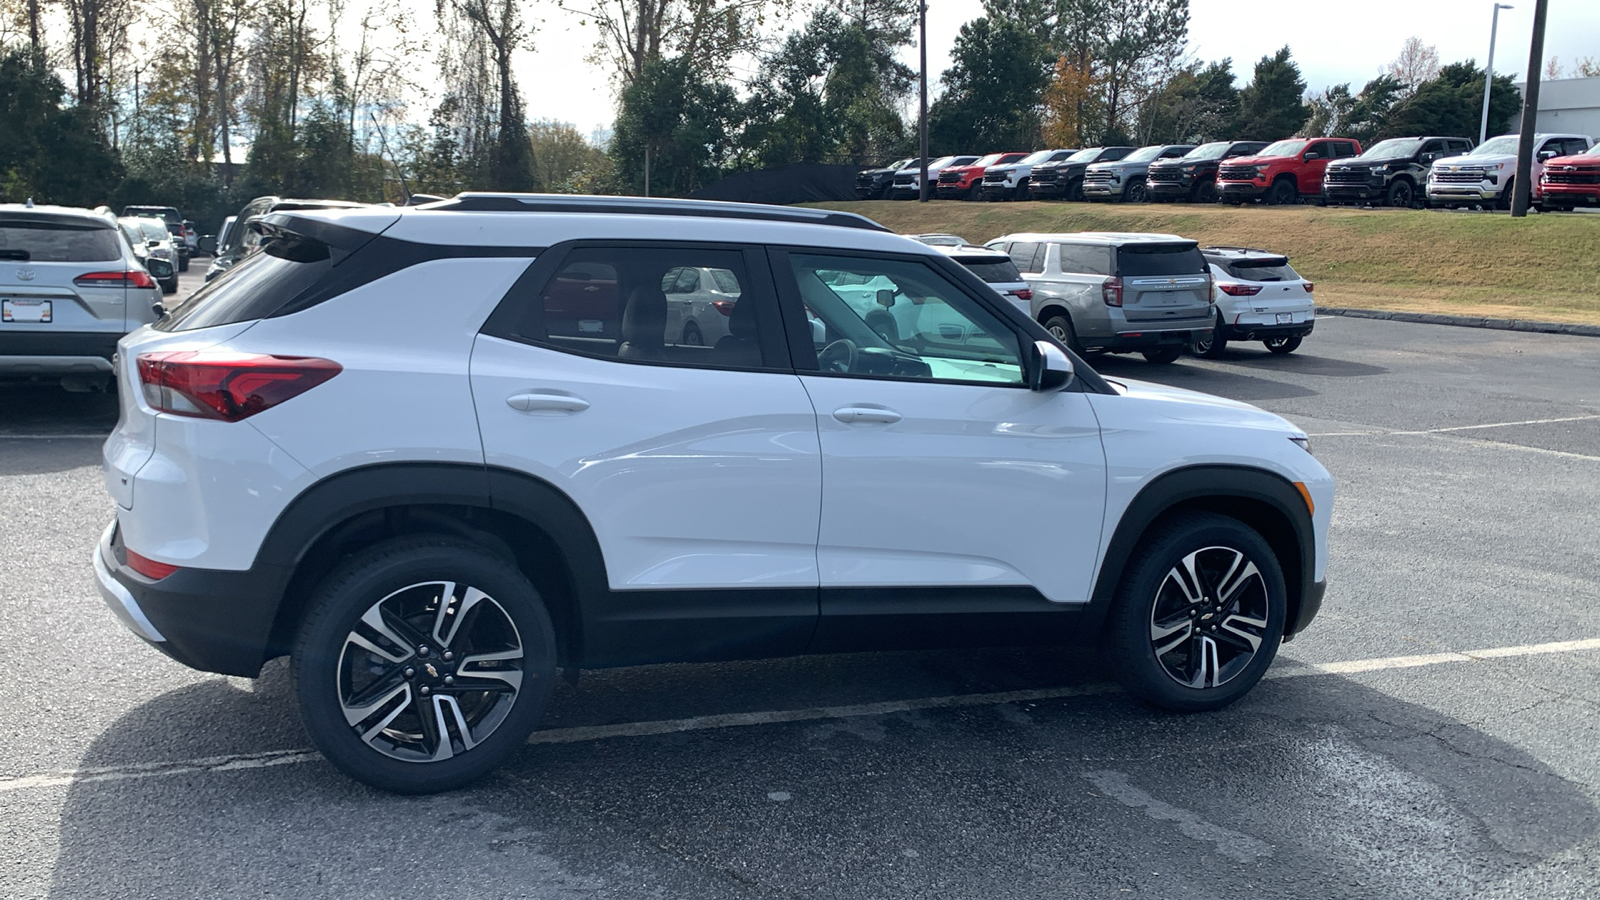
[(1263, 500)]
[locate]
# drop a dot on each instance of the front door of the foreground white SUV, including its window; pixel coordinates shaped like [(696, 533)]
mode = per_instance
[(948, 486)]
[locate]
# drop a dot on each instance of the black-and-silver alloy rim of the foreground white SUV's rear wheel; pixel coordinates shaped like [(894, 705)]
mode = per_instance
[(430, 672)]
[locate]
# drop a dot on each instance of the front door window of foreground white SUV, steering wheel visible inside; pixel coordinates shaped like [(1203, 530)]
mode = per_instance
[(902, 319)]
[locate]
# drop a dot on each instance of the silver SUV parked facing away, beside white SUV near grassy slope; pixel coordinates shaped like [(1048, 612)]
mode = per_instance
[(1118, 292)]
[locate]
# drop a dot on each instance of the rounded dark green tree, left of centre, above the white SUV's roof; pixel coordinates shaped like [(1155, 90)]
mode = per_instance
[(679, 124)]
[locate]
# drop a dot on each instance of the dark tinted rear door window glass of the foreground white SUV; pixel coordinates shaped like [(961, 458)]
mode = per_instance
[(678, 307)]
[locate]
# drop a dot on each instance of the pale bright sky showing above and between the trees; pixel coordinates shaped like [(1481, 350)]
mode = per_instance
[(1334, 42)]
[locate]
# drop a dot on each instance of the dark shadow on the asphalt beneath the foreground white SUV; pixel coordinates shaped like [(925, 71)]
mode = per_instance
[(1311, 787)]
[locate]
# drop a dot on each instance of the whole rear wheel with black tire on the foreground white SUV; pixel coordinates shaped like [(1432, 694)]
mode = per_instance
[(398, 582)]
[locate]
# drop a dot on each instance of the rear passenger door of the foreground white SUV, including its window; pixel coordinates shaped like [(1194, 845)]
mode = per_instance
[(697, 467)]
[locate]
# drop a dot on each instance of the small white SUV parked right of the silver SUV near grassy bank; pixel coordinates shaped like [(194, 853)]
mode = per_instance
[(1260, 297)]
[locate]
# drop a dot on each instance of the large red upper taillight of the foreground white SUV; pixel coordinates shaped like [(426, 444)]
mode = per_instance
[(228, 387)]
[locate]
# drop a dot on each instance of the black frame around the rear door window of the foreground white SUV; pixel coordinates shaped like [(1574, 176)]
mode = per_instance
[(775, 342)]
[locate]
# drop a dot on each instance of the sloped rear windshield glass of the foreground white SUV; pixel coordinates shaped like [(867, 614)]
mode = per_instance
[(255, 287)]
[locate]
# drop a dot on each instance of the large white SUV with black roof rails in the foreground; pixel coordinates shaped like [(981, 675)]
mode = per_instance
[(434, 454)]
